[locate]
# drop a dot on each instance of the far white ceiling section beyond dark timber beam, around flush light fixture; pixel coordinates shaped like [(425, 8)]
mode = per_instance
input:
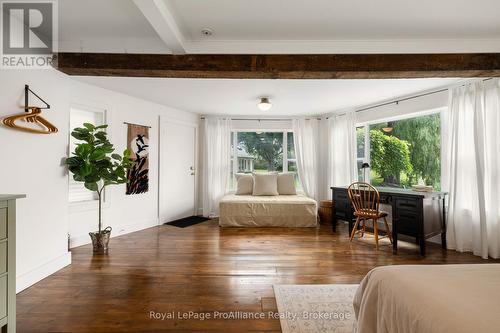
[(289, 97)]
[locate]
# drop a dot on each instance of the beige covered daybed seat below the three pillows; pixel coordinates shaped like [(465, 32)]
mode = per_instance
[(267, 211)]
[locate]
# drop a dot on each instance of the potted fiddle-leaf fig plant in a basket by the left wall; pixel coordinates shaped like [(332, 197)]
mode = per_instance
[(96, 165)]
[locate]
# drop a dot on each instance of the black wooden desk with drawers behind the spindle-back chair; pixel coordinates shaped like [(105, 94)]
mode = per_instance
[(408, 213)]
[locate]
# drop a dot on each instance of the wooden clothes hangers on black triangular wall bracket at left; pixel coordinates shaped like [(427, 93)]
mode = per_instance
[(32, 115)]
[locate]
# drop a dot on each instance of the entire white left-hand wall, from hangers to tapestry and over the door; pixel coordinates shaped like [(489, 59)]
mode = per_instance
[(33, 164)]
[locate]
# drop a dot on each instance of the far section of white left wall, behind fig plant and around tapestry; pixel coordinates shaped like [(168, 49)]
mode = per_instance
[(124, 213)]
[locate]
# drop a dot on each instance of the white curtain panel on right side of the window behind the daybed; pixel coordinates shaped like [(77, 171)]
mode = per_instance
[(306, 140)]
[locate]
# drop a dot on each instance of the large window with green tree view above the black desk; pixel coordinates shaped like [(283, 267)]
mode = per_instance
[(401, 153)]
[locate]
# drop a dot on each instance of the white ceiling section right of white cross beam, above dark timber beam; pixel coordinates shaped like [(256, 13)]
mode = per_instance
[(338, 19)]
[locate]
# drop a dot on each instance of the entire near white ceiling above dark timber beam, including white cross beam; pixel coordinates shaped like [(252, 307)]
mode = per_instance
[(282, 26)]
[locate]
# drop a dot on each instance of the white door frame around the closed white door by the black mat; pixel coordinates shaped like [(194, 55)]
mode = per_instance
[(164, 120)]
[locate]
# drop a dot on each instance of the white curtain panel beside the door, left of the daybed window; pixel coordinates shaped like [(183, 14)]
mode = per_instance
[(216, 163)]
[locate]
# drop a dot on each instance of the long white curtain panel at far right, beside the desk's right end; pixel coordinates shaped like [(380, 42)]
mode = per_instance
[(470, 173)]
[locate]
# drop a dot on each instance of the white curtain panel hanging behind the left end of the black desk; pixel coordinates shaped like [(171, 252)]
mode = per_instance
[(342, 162)]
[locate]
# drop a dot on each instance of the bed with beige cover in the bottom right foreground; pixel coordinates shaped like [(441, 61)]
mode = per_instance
[(429, 298)]
